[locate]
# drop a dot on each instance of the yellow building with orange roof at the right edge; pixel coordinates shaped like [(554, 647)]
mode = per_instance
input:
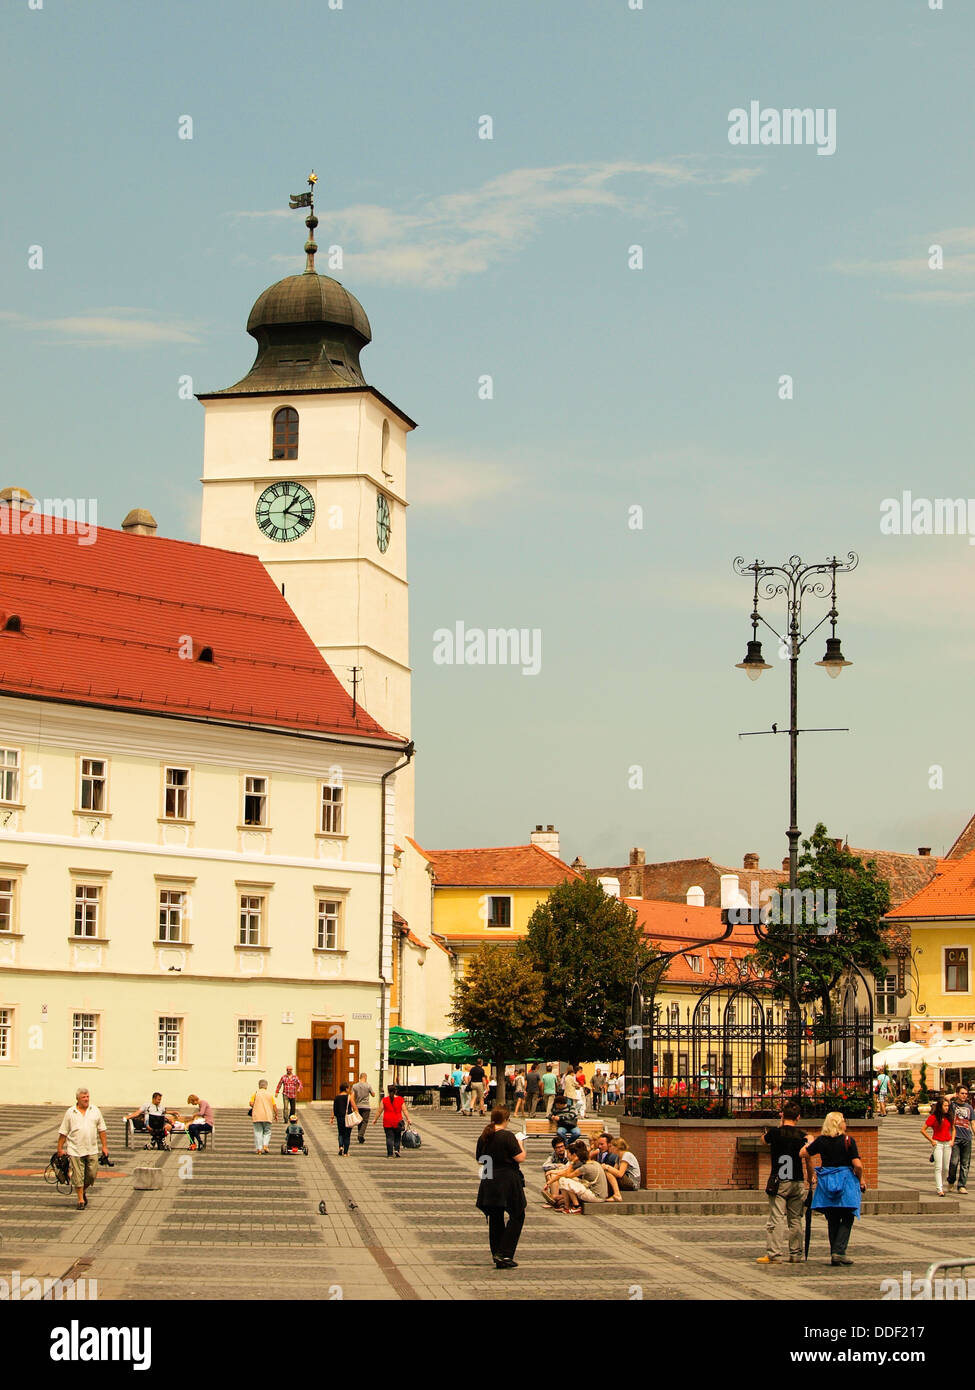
[(942, 924)]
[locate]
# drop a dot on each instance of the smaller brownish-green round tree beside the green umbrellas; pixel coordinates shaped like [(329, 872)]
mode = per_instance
[(501, 1004)]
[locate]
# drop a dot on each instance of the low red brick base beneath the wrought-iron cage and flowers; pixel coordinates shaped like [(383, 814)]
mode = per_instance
[(689, 1154)]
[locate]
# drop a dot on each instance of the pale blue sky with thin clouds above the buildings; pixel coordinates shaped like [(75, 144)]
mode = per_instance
[(636, 287)]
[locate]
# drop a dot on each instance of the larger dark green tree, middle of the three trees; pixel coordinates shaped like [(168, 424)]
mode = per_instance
[(586, 949)]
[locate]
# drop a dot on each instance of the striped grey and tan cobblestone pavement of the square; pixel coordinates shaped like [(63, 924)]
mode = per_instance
[(233, 1224)]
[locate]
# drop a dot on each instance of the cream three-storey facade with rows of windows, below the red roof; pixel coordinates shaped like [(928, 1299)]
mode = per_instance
[(184, 953)]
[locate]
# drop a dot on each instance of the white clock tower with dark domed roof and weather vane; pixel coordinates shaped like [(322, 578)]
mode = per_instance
[(305, 466)]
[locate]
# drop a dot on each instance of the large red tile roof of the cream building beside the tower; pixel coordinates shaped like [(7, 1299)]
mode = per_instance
[(105, 625)]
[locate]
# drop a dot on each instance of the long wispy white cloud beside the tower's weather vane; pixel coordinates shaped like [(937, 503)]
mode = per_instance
[(439, 241)]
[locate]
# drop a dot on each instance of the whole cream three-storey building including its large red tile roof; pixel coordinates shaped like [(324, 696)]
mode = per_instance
[(194, 822)]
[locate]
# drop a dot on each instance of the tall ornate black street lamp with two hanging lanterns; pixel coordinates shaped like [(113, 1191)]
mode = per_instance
[(795, 582)]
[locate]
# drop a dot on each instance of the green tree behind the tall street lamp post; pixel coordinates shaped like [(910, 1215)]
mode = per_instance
[(853, 894)]
